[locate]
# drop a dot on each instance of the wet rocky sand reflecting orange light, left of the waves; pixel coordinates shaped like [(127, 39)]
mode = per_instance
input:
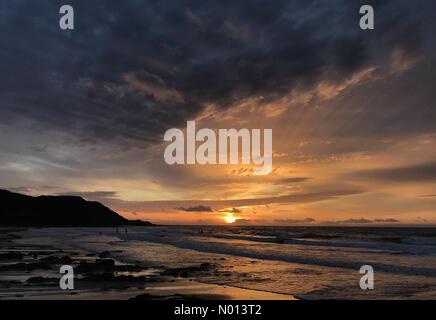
[(30, 270)]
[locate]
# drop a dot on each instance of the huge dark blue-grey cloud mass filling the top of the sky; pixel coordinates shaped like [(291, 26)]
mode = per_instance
[(132, 69)]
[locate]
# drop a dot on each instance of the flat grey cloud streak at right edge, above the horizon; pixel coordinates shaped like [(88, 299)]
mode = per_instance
[(424, 172)]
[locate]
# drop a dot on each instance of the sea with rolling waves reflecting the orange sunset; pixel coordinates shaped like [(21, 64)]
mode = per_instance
[(305, 262)]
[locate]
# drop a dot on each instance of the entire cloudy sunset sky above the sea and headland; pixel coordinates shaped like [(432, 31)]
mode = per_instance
[(83, 112)]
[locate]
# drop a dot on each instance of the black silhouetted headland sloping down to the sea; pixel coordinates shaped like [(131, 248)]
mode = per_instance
[(18, 210)]
